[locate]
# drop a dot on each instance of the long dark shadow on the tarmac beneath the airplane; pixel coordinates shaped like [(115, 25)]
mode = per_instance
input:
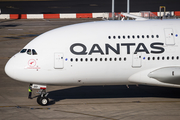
[(118, 91)]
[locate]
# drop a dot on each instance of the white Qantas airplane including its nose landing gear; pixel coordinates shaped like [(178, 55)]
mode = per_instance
[(101, 53)]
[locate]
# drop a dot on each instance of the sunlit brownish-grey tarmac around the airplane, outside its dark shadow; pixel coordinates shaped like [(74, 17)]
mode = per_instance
[(75, 102)]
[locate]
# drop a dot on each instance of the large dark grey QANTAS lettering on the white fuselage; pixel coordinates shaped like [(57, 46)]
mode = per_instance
[(156, 48)]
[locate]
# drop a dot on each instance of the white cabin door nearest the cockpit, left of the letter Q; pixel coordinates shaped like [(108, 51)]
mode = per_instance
[(58, 60)]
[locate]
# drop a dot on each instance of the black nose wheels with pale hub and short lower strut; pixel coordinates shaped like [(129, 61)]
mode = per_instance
[(43, 99)]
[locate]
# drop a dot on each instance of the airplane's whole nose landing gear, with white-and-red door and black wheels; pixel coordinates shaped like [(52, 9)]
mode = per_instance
[(42, 98)]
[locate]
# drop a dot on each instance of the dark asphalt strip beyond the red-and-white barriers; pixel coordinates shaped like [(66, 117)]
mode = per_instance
[(83, 6)]
